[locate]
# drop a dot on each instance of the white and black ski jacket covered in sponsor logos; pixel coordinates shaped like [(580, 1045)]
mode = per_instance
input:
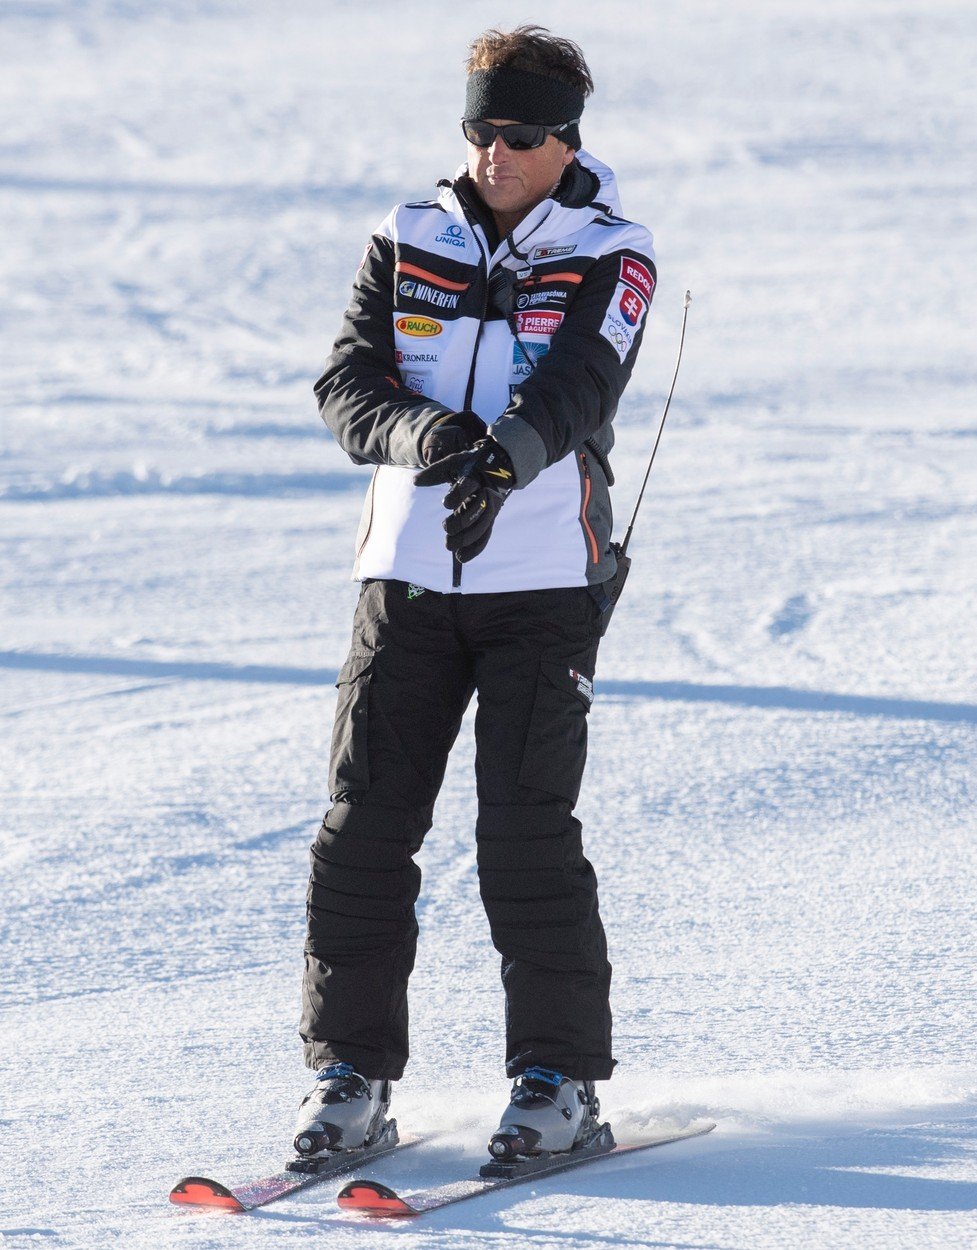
[(538, 334)]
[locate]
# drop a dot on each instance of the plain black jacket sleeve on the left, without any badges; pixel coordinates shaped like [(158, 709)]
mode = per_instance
[(362, 398)]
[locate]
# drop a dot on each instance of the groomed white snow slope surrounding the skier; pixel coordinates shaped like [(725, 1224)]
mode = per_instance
[(781, 793)]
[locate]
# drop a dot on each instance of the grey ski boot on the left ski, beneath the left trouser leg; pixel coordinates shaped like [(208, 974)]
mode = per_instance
[(343, 1112)]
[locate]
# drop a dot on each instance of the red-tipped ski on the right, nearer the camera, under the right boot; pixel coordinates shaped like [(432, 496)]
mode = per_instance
[(379, 1202)]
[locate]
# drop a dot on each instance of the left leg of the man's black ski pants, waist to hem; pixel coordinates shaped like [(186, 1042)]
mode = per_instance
[(403, 693)]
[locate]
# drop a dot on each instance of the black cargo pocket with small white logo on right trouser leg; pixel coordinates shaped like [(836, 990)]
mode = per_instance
[(557, 743)]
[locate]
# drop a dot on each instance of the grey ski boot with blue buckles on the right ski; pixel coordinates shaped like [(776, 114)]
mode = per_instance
[(548, 1114)]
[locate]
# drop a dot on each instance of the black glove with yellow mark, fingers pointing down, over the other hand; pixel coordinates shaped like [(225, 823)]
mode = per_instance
[(484, 481)]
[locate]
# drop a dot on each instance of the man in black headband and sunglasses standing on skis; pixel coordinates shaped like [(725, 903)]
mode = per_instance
[(487, 344)]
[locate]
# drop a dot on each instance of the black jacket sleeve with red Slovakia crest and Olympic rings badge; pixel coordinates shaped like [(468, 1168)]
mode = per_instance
[(577, 386)]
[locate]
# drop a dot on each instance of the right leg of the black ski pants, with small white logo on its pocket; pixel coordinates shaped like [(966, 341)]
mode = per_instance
[(535, 661)]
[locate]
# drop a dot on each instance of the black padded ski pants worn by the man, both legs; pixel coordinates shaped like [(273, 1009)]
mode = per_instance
[(417, 659)]
